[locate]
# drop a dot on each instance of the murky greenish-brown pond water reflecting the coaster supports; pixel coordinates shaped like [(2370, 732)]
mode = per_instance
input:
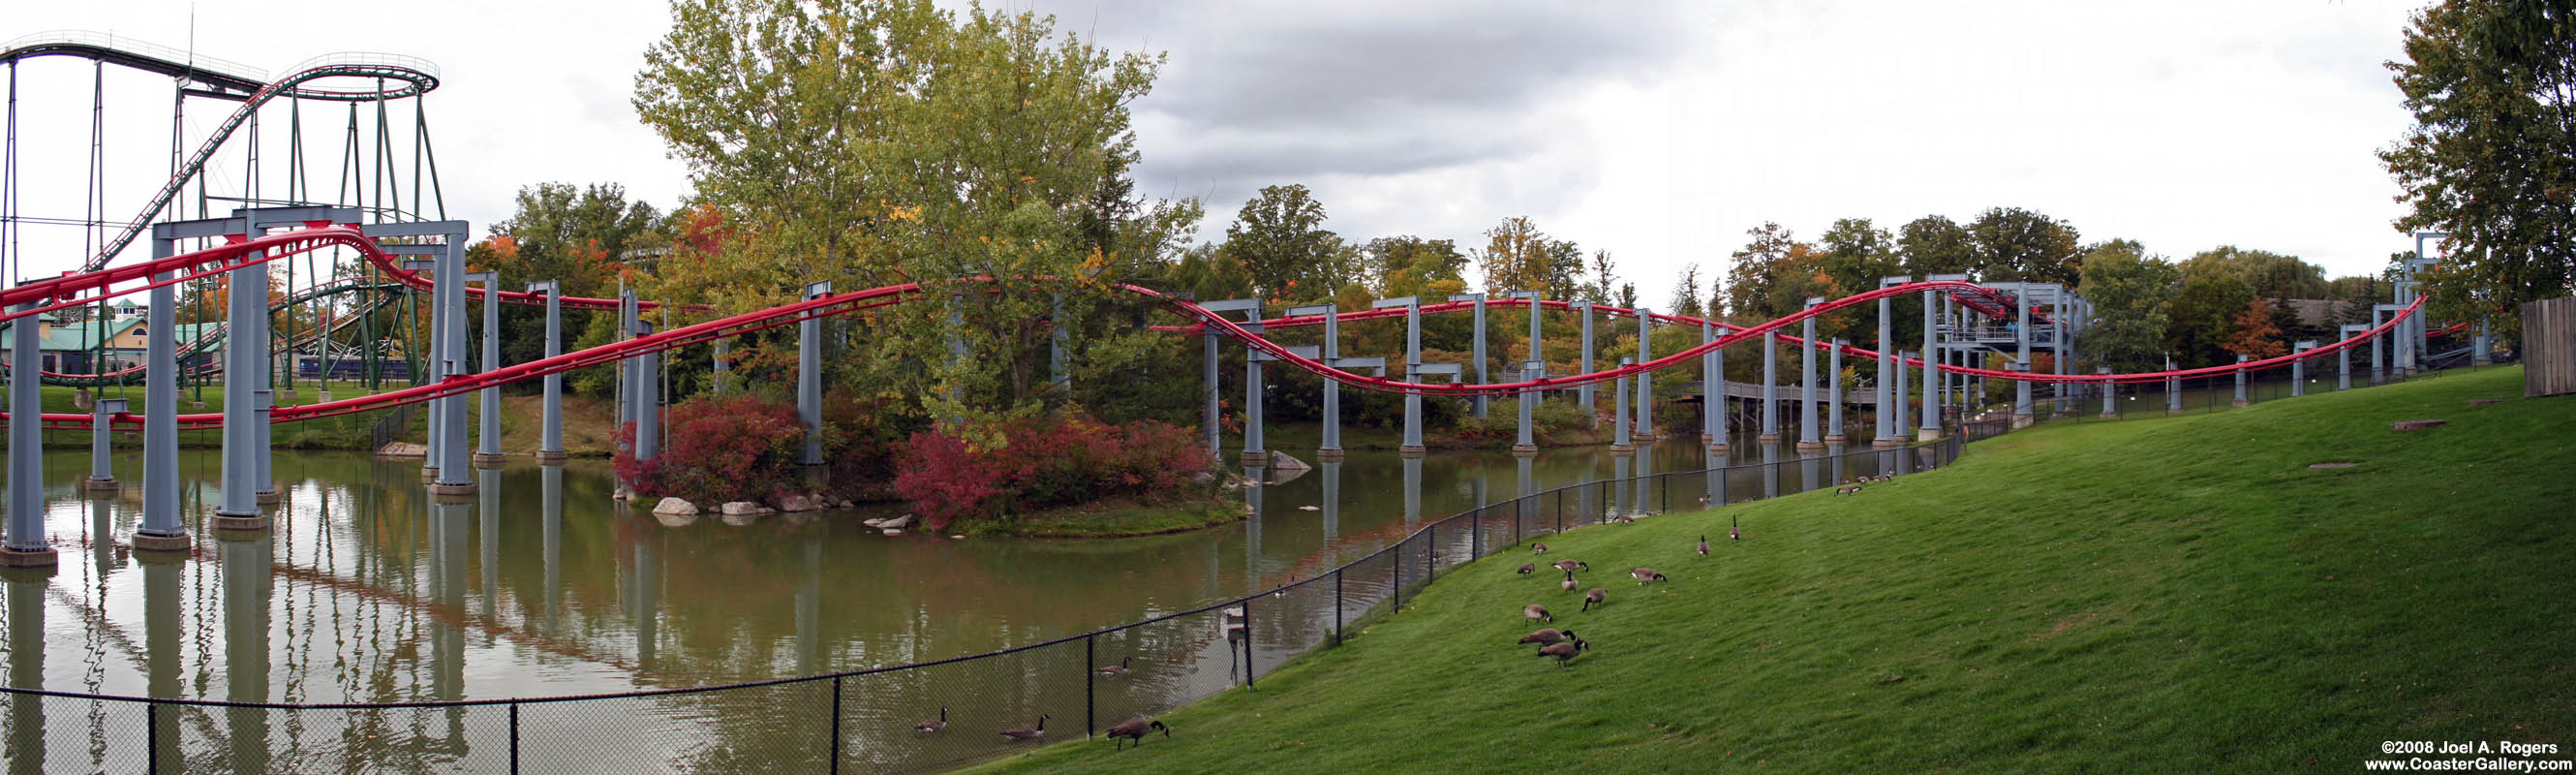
[(367, 591)]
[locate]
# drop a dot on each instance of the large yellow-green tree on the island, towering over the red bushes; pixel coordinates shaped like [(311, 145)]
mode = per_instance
[(983, 156)]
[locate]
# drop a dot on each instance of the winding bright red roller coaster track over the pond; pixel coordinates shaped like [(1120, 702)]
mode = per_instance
[(73, 290)]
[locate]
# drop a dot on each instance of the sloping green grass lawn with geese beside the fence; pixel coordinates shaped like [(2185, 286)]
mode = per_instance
[(2170, 596)]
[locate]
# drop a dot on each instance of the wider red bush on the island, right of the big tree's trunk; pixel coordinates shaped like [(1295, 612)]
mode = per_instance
[(1045, 465)]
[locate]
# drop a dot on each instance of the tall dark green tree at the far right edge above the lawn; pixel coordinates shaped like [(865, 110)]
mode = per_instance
[(2492, 158)]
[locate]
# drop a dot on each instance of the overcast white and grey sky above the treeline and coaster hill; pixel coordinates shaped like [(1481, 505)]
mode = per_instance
[(1658, 133)]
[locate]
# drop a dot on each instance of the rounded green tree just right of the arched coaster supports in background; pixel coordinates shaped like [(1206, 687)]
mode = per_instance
[(2132, 295)]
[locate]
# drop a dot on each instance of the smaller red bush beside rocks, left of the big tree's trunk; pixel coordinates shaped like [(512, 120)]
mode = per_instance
[(720, 449)]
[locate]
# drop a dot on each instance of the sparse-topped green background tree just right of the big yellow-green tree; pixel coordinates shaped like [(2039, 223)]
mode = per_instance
[(1282, 243)]
